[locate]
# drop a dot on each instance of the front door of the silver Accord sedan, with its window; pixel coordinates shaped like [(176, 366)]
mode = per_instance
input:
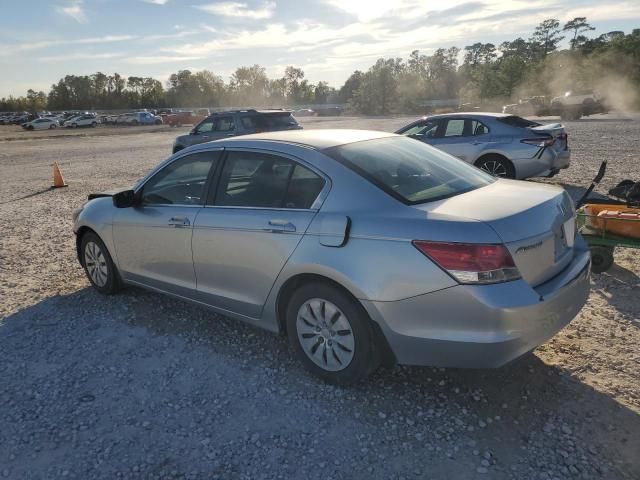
[(153, 239)]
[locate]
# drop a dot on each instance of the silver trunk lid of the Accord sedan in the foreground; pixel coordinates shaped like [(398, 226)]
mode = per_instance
[(535, 222)]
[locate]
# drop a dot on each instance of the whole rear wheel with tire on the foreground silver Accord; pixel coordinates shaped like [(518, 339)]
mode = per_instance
[(331, 334)]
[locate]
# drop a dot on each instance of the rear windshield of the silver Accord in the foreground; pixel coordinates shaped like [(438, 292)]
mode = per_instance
[(410, 170)]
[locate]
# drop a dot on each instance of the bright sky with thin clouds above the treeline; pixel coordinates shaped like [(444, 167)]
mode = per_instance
[(41, 41)]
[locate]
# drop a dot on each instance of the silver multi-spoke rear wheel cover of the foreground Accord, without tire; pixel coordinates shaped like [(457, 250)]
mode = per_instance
[(325, 334)]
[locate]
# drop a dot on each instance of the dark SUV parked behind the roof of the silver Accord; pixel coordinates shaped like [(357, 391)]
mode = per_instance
[(236, 122)]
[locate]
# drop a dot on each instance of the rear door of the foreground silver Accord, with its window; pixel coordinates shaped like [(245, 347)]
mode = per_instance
[(263, 205)]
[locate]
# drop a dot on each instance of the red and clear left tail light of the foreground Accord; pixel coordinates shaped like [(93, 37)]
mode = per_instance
[(471, 262)]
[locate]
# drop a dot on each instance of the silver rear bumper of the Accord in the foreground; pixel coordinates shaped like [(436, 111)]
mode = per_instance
[(482, 326)]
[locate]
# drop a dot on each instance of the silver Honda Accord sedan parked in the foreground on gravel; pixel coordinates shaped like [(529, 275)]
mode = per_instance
[(364, 248)]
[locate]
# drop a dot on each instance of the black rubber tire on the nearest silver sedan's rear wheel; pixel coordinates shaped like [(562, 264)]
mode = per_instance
[(366, 354)]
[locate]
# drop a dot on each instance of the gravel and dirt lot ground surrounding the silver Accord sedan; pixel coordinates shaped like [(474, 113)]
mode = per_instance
[(142, 386)]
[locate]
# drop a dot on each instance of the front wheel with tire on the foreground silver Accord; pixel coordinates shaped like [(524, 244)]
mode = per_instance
[(98, 264)]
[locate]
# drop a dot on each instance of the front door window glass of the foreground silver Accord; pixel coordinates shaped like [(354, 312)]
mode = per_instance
[(182, 182)]
